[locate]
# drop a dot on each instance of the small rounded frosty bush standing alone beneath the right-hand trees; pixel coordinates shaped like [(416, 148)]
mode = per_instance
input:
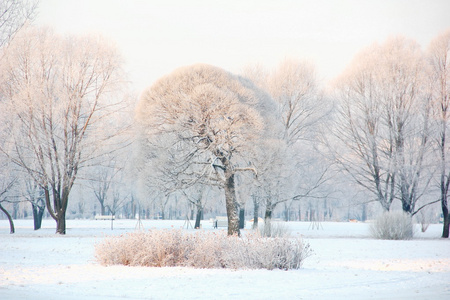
[(395, 225)]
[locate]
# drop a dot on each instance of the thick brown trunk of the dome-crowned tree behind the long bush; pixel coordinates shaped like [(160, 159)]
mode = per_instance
[(231, 204)]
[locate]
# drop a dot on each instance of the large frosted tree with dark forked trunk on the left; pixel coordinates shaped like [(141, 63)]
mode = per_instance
[(56, 91)]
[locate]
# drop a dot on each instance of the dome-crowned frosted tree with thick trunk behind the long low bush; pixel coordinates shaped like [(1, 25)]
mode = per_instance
[(202, 124)]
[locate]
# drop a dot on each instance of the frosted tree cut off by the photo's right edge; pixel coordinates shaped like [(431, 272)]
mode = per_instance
[(439, 55)]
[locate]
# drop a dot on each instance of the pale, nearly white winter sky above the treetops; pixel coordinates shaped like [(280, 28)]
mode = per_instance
[(156, 37)]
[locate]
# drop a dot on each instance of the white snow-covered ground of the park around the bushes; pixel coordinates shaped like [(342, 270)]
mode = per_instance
[(347, 264)]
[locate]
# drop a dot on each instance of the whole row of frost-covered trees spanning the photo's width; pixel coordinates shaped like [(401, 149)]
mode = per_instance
[(266, 137)]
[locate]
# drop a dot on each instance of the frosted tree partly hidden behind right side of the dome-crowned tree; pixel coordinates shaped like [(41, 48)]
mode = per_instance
[(300, 110)]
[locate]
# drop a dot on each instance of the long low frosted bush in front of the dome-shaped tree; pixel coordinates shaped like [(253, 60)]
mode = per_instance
[(169, 248)]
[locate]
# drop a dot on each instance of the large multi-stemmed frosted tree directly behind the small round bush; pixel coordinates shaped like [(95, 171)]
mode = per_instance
[(384, 122)]
